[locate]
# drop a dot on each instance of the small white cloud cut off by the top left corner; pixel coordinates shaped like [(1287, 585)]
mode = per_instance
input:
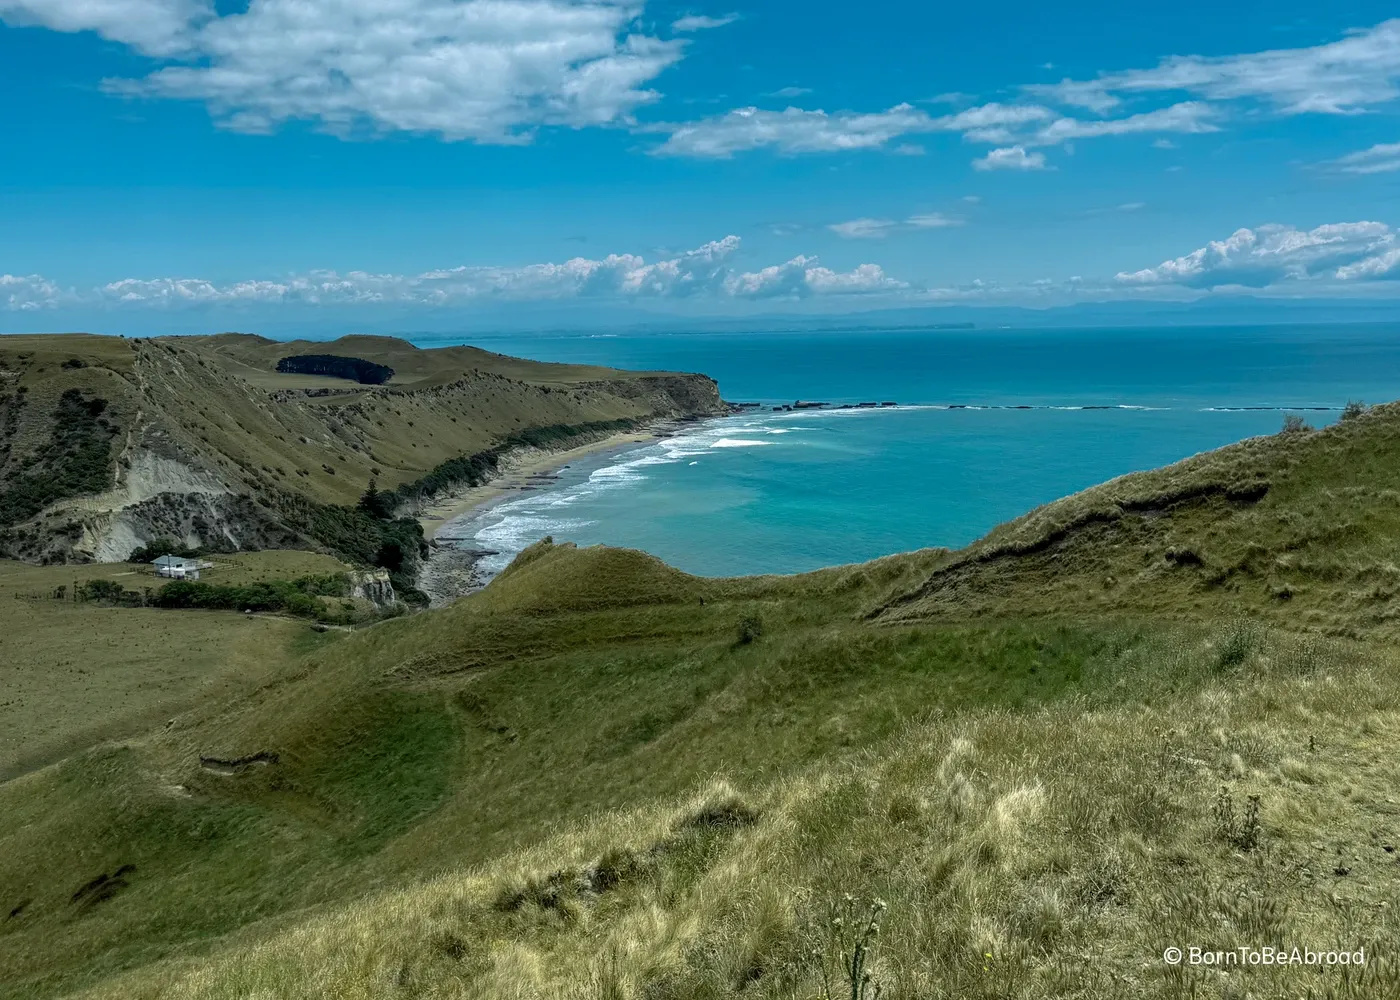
[(153, 27)]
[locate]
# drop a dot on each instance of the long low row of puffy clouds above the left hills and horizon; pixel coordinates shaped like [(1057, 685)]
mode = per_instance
[(702, 272)]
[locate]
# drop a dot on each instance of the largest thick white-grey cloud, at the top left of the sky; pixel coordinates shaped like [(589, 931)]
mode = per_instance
[(489, 71)]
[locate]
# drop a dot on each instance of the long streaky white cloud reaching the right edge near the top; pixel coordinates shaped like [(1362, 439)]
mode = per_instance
[(1350, 75)]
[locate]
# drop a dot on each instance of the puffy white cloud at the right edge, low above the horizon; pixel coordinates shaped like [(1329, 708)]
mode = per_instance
[(1279, 254)]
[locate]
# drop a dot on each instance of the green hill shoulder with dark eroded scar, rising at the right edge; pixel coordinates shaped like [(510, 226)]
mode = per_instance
[(1298, 529)]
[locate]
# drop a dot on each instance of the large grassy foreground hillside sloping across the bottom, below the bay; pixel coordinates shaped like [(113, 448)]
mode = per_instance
[(1102, 732)]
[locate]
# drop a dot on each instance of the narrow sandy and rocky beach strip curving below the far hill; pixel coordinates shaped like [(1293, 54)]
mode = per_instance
[(450, 574)]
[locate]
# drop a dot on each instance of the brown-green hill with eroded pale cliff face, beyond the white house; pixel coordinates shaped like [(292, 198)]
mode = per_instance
[(107, 443)]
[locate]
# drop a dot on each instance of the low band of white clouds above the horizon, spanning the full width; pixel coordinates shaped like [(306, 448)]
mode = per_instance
[(1279, 258)]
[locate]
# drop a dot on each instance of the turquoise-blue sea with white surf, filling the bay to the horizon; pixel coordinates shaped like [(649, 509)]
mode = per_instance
[(768, 492)]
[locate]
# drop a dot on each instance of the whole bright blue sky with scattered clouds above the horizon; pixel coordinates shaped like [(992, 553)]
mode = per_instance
[(195, 165)]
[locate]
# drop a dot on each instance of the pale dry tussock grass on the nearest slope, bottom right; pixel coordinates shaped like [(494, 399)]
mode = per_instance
[(1021, 854)]
